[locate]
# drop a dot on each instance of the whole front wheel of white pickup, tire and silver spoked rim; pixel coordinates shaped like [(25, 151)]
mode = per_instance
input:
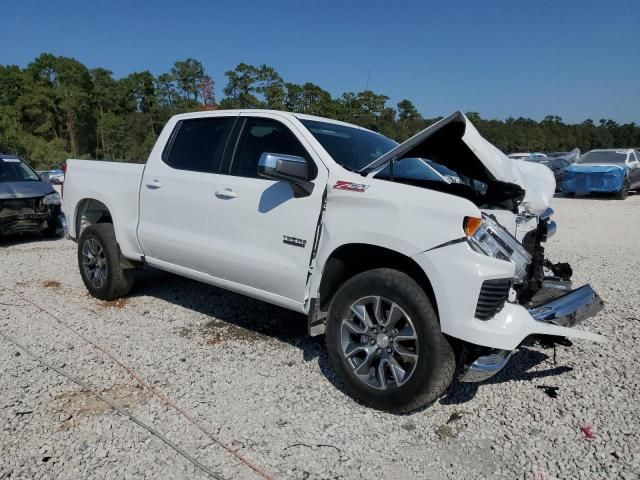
[(385, 344)]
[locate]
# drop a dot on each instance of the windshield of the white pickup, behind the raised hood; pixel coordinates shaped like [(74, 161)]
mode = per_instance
[(353, 148)]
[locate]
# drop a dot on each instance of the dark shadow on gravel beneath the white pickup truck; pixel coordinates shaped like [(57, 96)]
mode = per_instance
[(246, 319)]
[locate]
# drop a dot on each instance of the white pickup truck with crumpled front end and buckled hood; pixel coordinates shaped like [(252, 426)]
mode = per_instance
[(415, 259)]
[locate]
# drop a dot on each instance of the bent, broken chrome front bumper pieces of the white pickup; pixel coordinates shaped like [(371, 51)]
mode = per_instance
[(564, 309)]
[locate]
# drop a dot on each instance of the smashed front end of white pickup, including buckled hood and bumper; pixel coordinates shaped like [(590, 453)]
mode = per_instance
[(533, 299)]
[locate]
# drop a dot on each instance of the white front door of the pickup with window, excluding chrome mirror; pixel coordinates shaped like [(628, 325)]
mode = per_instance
[(262, 233)]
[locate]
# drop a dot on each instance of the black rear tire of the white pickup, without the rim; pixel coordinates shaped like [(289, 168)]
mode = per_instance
[(117, 282)]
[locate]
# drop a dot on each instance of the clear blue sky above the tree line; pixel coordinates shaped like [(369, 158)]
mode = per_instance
[(575, 59)]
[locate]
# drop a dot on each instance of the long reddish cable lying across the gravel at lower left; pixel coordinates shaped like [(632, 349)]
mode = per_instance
[(144, 383)]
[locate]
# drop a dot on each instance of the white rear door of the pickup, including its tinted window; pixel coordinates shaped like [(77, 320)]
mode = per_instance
[(177, 193)]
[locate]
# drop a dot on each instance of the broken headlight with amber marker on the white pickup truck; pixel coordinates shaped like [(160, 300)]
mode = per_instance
[(488, 237)]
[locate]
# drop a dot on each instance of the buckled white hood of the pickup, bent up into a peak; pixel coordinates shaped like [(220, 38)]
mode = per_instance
[(455, 143)]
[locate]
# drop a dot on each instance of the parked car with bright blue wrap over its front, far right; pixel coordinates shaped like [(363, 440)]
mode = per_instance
[(614, 171)]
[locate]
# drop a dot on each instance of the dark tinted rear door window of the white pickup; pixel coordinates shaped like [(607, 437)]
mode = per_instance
[(198, 144)]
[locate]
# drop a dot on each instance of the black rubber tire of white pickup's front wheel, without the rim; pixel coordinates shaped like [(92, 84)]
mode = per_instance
[(435, 365)]
